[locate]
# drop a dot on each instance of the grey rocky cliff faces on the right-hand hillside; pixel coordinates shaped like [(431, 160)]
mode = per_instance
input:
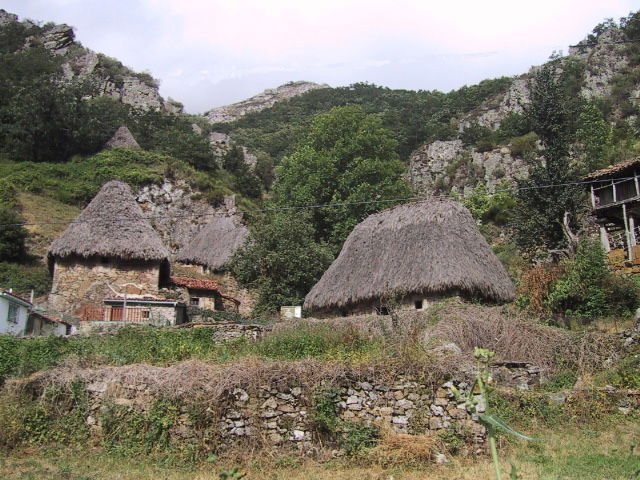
[(602, 64)]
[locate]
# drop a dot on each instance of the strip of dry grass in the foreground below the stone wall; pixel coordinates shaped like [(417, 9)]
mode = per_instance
[(609, 450)]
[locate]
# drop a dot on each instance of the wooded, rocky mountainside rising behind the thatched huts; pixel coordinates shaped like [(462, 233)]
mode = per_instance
[(347, 152)]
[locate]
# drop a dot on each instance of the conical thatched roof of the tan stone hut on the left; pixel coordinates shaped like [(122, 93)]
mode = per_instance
[(112, 225)]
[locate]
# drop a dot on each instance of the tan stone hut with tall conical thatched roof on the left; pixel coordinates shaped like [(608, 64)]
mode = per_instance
[(108, 249)]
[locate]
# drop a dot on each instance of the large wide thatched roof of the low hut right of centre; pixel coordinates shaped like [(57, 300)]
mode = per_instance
[(428, 247)]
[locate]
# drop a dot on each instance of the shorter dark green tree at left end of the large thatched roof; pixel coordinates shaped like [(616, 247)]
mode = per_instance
[(281, 260)]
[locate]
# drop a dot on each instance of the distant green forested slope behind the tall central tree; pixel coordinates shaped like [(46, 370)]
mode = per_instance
[(413, 117)]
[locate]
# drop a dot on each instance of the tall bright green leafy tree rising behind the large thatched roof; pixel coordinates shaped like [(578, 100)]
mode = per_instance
[(347, 160)]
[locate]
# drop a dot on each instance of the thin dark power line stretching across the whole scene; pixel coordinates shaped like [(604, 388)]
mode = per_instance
[(328, 205)]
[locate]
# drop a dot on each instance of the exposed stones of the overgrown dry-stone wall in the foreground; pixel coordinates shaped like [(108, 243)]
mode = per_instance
[(283, 416)]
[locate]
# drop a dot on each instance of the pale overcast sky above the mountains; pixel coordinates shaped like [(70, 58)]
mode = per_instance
[(208, 53)]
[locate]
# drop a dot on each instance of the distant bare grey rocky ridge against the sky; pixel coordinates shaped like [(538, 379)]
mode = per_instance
[(266, 99)]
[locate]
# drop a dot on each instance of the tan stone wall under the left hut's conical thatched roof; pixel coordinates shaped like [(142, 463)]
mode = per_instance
[(78, 281)]
